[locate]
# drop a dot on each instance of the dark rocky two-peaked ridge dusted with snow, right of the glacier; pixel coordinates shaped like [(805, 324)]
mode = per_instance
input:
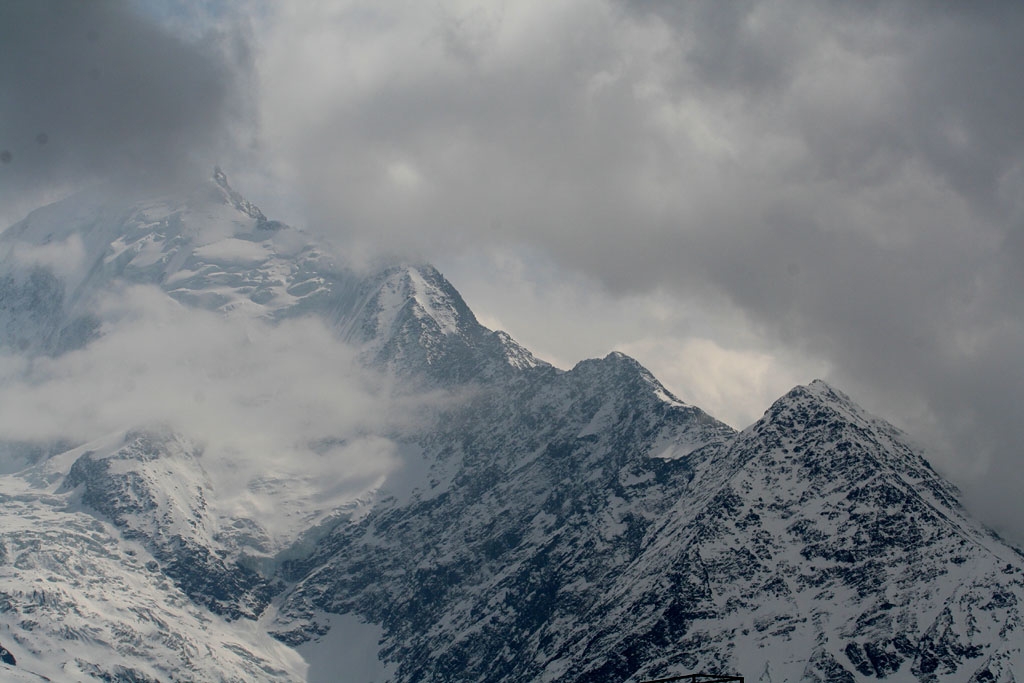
[(816, 545)]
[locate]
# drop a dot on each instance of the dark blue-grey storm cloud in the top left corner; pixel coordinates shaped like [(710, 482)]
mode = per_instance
[(95, 90)]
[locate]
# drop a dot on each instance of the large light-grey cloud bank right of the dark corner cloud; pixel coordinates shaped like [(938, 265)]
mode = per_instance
[(845, 178)]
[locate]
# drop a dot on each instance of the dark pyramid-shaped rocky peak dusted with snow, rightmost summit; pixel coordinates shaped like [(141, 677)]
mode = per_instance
[(833, 552)]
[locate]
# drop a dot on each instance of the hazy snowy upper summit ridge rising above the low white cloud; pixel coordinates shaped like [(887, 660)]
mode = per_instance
[(217, 250)]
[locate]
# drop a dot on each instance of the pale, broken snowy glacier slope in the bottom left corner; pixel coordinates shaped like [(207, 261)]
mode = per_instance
[(81, 600)]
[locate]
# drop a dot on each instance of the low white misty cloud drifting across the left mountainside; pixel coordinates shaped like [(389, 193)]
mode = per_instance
[(286, 408)]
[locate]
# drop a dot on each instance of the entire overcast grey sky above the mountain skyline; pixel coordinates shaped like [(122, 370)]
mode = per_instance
[(745, 196)]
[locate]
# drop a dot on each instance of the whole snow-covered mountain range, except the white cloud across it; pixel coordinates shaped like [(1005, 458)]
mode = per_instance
[(531, 524)]
